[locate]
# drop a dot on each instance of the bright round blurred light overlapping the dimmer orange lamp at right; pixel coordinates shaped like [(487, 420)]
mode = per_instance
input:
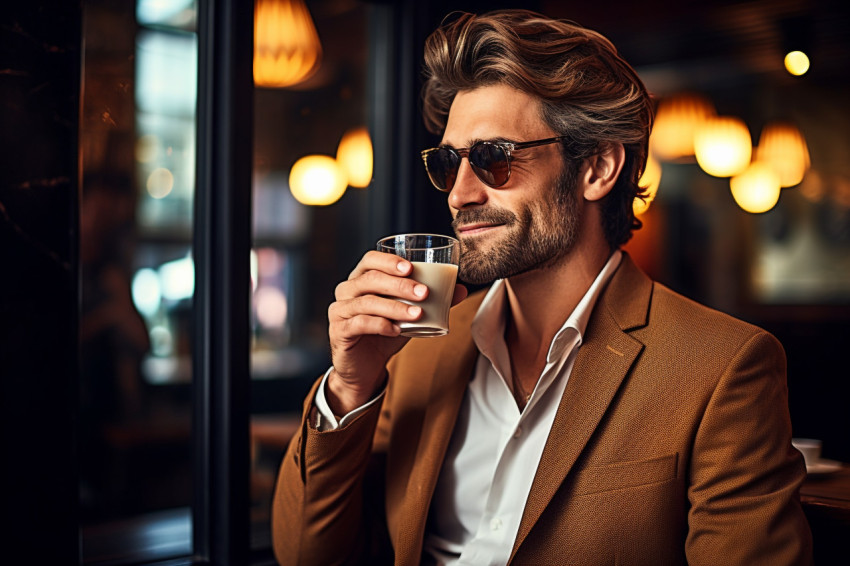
[(723, 146)]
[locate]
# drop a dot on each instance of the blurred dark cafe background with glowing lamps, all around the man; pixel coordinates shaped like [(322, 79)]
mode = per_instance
[(185, 182)]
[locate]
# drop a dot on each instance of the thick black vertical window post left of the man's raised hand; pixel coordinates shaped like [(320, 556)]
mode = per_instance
[(222, 244)]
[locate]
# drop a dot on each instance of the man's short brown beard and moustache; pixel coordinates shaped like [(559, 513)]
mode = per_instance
[(538, 235)]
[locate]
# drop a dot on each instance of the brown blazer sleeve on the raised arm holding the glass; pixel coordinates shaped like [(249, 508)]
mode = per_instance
[(327, 503)]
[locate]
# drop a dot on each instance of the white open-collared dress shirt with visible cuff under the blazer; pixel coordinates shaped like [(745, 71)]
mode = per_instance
[(495, 449)]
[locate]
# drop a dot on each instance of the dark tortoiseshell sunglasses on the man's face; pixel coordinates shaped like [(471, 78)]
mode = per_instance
[(490, 161)]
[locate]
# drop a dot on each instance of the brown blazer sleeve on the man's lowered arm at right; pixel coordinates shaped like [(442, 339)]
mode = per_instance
[(745, 475)]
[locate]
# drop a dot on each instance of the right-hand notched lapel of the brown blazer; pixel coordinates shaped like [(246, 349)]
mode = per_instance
[(604, 359)]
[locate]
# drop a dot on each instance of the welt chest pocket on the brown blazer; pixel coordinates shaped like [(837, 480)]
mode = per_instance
[(624, 475)]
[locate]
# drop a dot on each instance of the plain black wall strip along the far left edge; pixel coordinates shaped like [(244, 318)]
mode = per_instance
[(39, 110)]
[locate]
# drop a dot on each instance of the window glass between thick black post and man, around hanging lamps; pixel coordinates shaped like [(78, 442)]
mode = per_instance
[(301, 251)]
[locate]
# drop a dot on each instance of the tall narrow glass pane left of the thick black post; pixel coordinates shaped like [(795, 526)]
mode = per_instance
[(138, 279)]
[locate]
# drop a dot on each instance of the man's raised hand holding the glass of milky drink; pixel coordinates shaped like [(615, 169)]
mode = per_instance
[(363, 326)]
